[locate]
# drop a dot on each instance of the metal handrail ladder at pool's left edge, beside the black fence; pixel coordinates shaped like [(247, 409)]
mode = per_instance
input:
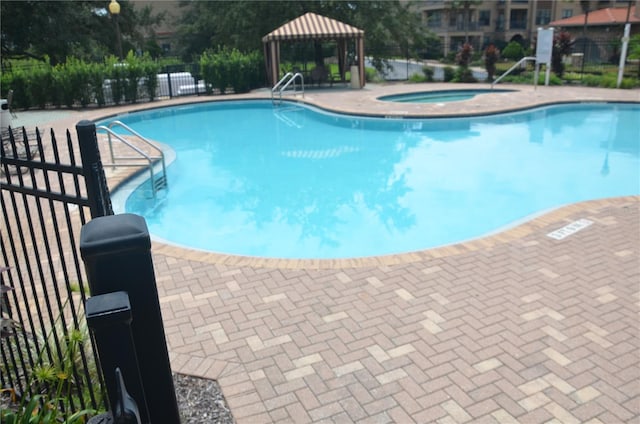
[(155, 164)]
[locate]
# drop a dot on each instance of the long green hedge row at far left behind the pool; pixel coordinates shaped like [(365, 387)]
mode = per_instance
[(79, 83)]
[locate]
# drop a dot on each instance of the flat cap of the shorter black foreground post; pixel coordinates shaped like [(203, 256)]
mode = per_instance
[(107, 310)]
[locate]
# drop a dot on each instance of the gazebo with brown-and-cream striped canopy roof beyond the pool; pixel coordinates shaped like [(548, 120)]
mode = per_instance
[(313, 27)]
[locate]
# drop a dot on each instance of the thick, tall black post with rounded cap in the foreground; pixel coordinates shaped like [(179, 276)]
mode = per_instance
[(117, 254)]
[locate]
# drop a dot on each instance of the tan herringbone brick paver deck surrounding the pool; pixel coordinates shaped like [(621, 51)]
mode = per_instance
[(515, 327)]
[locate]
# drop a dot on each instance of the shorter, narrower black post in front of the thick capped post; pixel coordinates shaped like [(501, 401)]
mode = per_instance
[(109, 318)]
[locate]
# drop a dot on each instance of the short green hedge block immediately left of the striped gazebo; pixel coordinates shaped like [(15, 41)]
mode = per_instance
[(227, 70)]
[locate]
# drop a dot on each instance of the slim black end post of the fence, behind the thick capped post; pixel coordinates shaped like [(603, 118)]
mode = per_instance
[(93, 172)]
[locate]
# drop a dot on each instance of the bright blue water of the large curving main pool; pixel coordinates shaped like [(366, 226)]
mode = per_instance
[(296, 182)]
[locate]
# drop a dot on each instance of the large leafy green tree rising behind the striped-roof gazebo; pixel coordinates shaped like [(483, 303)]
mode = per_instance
[(241, 25)]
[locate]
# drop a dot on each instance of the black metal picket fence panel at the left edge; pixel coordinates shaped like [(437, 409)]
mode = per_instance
[(47, 192)]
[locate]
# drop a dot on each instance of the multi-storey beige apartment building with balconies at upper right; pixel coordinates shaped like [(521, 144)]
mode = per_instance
[(499, 21)]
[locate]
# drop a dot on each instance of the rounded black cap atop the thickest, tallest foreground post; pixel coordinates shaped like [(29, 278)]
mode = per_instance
[(111, 234)]
